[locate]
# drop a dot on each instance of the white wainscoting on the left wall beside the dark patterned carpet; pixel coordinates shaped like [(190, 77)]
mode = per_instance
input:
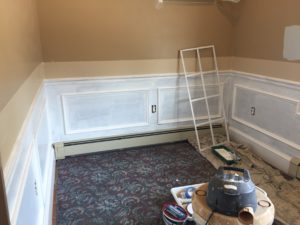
[(29, 172)]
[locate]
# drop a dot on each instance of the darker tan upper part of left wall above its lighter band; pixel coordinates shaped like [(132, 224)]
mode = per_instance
[(20, 50)]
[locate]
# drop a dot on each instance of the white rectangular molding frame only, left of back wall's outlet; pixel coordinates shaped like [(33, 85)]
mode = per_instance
[(67, 128)]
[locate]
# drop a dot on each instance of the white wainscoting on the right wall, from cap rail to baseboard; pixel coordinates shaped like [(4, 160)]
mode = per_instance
[(273, 131)]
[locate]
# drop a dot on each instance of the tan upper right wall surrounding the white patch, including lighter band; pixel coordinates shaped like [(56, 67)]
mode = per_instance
[(259, 35)]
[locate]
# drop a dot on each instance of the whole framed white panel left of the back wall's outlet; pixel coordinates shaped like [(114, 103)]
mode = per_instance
[(135, 110)]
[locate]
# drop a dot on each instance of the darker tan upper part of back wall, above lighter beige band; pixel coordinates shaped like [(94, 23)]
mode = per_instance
[(97, 30)]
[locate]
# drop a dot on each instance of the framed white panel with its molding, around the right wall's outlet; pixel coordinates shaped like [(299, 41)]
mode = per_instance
[(275, 114)]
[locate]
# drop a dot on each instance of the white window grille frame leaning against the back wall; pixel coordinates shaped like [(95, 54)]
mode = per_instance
[(196, 100)]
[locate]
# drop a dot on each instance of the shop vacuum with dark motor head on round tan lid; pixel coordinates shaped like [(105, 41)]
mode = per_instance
[(232, 198)]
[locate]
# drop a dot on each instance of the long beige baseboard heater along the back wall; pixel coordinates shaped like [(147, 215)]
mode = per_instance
[(78, 147)]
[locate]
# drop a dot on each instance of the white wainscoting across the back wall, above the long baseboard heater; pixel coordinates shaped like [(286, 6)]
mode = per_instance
[(111, 106)]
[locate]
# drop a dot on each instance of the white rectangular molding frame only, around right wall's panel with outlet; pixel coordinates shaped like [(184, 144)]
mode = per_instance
[(261, 129)]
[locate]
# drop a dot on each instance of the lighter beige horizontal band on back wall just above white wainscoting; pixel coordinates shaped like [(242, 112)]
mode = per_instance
[(124, 67)]
